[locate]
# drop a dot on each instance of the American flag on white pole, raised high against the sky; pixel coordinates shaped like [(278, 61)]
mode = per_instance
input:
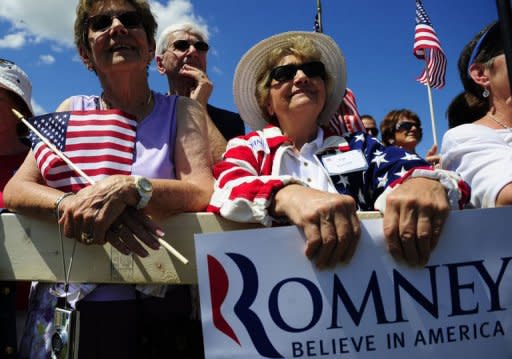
[(427, 46)]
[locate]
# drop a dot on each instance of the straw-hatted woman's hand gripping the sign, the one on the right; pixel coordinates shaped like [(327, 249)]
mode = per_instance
[(413, 219)]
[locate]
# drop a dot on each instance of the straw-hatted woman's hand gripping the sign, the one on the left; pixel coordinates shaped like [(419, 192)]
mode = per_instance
[(329, 222)]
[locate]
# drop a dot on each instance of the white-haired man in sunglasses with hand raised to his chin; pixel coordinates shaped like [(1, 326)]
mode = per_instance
[(181, 56)]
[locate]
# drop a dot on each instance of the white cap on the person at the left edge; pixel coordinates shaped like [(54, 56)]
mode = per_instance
[(14, 79)]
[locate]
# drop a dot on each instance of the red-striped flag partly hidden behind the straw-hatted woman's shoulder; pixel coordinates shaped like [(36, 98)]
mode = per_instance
[(347, 119)]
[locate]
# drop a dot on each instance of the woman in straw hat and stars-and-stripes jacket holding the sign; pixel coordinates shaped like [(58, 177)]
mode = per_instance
[(287, 87)]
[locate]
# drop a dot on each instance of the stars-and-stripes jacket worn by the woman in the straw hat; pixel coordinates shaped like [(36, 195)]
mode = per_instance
[(248, 176)]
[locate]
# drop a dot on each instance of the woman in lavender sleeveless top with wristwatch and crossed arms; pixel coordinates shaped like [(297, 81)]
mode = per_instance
[(171, 161)]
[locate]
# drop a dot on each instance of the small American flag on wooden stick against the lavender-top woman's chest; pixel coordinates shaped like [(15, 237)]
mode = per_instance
[(100, 143)]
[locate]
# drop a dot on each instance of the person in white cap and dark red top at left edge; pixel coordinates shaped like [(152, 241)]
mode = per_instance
[(15, 92)]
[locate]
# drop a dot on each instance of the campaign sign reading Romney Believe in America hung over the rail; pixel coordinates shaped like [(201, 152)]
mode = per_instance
[(277, 253)]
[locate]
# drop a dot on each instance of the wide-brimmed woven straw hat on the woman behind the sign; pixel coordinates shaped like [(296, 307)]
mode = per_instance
[(244, 85)]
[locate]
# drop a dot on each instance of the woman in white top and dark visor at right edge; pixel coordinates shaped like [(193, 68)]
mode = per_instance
[(481, 151)]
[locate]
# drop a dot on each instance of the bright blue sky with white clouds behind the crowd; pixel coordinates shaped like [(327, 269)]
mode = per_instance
[(375, 36)]
